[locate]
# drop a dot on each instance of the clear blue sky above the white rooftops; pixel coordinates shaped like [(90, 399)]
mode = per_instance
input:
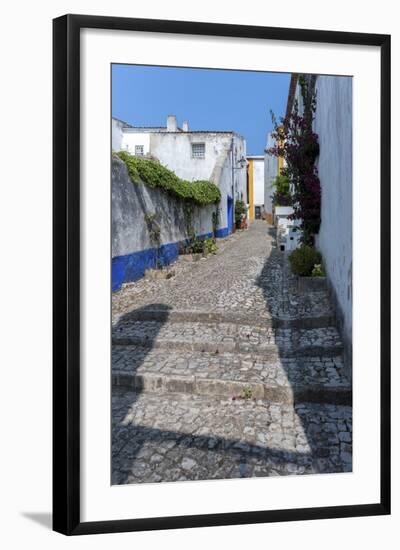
[(209, 99)]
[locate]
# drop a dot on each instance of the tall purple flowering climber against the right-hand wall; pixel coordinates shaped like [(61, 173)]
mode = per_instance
[(298, 145)]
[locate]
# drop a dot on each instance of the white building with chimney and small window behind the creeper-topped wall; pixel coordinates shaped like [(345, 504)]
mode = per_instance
[(217, 156)]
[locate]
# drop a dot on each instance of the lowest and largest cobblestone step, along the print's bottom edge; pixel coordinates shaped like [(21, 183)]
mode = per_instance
[(177, 437)]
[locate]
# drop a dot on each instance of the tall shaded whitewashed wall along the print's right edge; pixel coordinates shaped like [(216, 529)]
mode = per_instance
[(333, 124)]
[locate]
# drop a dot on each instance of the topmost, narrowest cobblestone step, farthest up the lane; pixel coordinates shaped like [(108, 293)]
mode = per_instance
[(207, 315)]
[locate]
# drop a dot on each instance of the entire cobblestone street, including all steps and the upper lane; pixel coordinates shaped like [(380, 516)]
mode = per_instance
[(226, 370)]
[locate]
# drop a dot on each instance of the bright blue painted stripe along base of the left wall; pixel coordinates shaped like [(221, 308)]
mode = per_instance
[(131, 267)]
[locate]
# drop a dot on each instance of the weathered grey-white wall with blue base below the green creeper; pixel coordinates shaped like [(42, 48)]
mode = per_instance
[(132, 249)]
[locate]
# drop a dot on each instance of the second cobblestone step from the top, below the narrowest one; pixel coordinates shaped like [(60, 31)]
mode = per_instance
[(229, 337)]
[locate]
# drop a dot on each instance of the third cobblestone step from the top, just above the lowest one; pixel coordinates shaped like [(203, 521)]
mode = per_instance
[(319, 379)]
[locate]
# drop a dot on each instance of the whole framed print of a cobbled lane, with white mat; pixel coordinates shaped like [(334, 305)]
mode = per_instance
[(221, 274)]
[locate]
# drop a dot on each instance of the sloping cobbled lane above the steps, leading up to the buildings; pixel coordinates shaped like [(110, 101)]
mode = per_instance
[(249, 278)]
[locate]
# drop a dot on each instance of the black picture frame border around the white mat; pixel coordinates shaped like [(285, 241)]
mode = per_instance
[(66, 273)]
